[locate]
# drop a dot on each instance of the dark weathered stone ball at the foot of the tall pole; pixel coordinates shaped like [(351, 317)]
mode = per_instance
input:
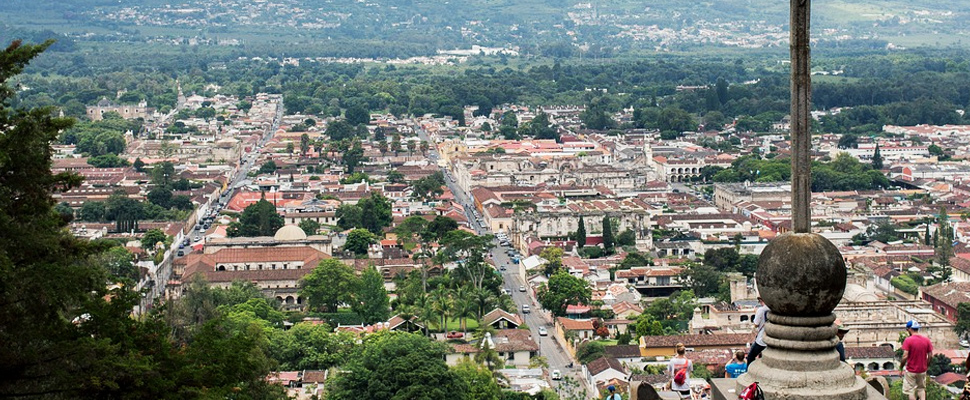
[(801, 274)]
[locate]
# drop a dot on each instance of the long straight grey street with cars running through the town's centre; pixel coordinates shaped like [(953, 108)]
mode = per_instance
[(549, 347)]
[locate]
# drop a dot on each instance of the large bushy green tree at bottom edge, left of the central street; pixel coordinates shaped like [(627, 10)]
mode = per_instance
[(395, 365)]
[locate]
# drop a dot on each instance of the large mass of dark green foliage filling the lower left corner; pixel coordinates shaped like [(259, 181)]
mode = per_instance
[(75, 338)]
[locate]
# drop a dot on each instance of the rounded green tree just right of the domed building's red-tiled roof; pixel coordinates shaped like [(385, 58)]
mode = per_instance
[(331, 283)]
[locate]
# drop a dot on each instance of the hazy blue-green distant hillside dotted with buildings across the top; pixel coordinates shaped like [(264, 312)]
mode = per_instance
[(561, 28)]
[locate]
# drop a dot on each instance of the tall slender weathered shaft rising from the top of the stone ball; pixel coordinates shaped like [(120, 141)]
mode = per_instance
[(801, 102)]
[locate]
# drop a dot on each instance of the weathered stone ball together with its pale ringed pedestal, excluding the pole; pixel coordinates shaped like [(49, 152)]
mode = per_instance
[(801, 278)]
